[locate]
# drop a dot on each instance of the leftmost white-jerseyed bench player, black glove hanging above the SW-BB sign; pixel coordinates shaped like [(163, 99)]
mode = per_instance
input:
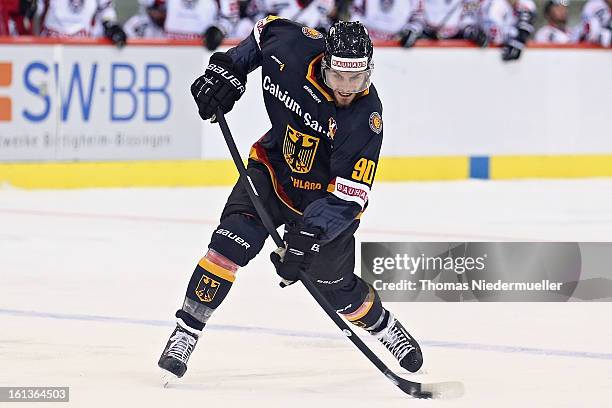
[(76, 18)]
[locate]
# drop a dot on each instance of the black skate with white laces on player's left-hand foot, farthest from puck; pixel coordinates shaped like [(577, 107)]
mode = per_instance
[(178, 349)]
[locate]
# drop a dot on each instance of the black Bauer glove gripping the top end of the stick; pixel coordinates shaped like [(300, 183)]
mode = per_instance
[(220, 86)]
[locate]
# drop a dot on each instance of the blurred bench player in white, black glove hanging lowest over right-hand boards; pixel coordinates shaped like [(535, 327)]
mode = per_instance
[(509, 23)]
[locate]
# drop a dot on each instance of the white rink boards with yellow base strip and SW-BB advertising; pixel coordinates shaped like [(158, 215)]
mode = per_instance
[(83, 114)]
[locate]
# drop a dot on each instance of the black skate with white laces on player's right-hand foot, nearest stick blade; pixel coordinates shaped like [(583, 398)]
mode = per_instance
[(401, 344)]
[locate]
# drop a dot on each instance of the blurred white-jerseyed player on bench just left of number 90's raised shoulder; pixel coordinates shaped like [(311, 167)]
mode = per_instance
[(210, 20)]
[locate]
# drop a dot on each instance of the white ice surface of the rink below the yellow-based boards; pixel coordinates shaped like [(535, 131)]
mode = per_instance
[(90, 279)]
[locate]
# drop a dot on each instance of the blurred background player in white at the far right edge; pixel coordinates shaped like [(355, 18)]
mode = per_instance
[(596, 25)]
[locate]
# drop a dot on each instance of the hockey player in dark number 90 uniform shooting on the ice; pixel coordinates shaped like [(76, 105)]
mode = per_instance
[(313, 170)]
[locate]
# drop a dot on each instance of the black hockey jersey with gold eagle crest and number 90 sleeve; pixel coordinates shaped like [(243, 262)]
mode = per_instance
[(322, 159)]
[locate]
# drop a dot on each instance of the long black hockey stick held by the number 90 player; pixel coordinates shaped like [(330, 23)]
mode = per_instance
[(415, 389)]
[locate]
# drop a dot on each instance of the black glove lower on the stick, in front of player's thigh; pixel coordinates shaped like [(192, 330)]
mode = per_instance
[(302, 245)]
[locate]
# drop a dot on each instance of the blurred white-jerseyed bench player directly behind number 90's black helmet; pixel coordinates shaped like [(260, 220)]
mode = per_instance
[(391, 20)]
